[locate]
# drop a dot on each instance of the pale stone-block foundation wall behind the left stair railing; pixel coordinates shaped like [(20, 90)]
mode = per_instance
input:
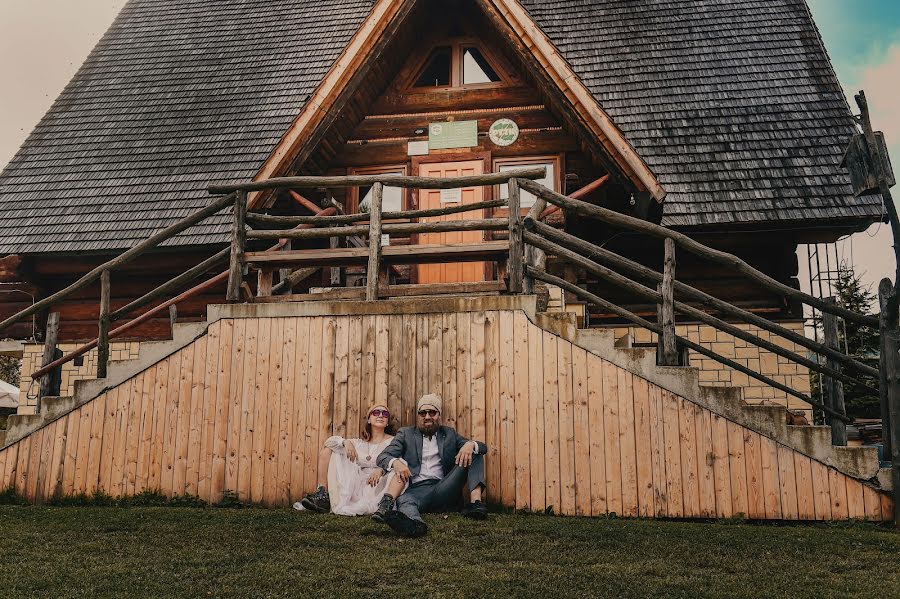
[(31, 361)]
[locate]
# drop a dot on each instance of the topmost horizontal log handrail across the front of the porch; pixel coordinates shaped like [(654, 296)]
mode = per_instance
[(404, 181)]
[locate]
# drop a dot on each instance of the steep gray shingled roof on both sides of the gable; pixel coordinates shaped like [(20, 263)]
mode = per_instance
[(732, 103)]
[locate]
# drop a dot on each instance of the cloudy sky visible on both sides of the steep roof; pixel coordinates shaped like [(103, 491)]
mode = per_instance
[(43, 42)]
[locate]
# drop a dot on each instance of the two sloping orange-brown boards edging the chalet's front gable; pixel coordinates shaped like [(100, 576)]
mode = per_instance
[(527, 39)]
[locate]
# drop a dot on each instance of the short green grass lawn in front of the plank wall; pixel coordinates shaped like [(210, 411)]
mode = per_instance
[(189, 552)]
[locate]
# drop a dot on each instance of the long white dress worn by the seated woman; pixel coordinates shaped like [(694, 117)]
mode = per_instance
[(351, 495)]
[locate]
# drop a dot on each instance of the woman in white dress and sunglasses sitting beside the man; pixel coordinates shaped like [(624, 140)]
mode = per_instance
[(359, 482)]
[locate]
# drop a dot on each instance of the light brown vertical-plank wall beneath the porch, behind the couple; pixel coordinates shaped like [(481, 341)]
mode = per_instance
[(247, 407)]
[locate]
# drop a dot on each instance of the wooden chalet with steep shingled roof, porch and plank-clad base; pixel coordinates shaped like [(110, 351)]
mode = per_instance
[(721, 120)]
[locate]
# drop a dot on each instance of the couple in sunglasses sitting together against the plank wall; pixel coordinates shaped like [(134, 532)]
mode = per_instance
[(396, 478)]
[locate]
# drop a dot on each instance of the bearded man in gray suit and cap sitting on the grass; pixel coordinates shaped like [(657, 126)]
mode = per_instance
[(437, 462)]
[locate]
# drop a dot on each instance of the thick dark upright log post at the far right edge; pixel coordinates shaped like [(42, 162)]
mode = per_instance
[(889, 364)]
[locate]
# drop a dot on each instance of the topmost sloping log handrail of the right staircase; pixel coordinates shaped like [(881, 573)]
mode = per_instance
[(724, 258)]
